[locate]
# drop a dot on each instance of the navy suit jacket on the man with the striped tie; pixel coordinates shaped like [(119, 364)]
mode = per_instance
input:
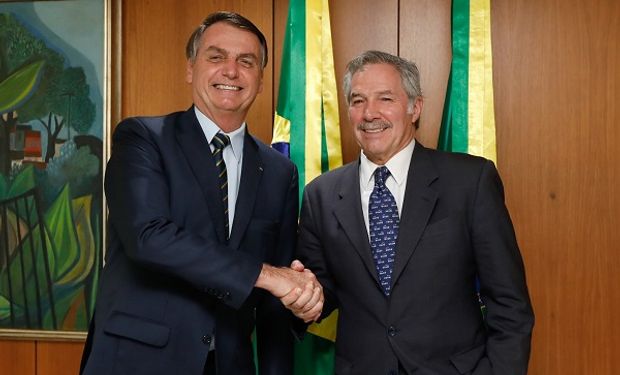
[(171, 281)]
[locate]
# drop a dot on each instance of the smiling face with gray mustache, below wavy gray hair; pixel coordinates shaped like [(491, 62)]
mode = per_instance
[(380, 112)]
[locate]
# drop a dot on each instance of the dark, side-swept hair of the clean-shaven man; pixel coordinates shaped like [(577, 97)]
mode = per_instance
[(233, 19)]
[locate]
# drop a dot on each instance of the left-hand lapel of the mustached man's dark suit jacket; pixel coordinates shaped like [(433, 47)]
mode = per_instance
[(348, 212)]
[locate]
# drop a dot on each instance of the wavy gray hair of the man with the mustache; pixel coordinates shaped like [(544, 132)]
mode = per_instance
[(409, 74)]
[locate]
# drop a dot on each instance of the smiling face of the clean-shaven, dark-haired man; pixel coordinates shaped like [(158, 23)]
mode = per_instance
[(226, 74)]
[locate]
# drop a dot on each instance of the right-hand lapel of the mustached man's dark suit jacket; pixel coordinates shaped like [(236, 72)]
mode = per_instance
[(418, 205)]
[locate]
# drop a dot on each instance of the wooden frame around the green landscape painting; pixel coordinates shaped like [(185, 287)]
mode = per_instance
[(110, 104)]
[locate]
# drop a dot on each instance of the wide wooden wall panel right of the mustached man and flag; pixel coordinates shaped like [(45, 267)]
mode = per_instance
[(557, 88)]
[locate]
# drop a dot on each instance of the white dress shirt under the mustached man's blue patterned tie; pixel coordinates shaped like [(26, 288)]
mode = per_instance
[(398, 166)]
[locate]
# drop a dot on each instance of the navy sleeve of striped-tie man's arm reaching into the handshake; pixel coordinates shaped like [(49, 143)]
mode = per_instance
[(138, 192)]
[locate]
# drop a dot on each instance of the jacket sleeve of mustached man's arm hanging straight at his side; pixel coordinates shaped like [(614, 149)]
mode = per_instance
[(502, 278)]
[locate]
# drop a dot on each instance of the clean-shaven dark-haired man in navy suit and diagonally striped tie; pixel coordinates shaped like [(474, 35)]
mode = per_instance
[(202, 221)]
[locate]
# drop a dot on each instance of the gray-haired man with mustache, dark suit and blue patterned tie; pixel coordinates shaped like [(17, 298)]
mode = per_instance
[(398, 238)]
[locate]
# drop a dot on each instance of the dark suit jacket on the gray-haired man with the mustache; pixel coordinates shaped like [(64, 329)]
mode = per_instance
[(454, 226)]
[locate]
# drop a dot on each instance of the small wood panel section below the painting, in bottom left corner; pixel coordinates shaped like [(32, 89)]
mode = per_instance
[(17, 357)]
